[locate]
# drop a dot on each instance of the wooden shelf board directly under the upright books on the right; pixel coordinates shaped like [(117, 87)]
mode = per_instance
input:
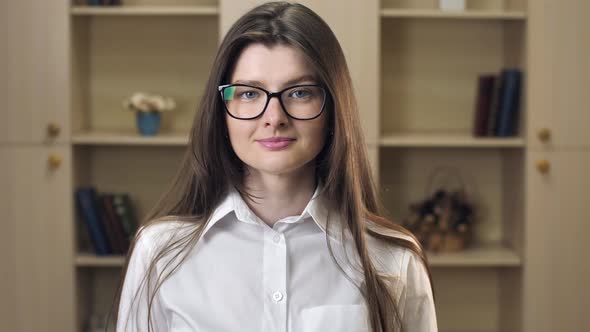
[(448, 140)]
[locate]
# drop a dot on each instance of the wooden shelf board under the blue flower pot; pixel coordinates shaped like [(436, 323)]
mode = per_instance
[(128, 138)]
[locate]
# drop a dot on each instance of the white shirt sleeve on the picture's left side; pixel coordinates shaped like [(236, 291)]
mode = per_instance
[(133, 307)]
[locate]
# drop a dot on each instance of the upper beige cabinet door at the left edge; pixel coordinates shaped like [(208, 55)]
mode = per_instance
[(34, 72)]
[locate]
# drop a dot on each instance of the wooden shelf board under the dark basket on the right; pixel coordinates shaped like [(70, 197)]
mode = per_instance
[(489, 255)]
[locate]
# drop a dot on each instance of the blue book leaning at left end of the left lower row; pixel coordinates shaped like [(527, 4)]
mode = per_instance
[(86, 199)]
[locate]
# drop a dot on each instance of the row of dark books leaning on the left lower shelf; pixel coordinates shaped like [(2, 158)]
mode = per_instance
[(109, 218)]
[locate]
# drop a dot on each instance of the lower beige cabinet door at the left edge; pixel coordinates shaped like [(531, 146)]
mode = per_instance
[(36, 240)]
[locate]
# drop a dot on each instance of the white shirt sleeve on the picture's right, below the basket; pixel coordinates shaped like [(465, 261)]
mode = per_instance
[(419, 313)]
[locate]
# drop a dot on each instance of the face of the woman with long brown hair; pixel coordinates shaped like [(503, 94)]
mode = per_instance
[(272, 69)]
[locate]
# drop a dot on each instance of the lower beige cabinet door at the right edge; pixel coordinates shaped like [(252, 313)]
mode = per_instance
[(557, 263)]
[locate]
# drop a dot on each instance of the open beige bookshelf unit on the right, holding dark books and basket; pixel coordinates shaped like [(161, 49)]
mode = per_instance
[(429, 62)]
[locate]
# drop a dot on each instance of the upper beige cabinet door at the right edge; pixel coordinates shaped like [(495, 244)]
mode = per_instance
[(559, 72)]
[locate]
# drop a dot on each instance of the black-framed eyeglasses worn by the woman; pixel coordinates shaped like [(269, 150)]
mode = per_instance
[(246, 102)]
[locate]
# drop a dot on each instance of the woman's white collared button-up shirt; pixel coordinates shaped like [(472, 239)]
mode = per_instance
[(244, 275)]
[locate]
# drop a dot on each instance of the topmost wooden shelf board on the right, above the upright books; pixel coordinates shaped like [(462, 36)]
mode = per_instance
[(467, 15)]
